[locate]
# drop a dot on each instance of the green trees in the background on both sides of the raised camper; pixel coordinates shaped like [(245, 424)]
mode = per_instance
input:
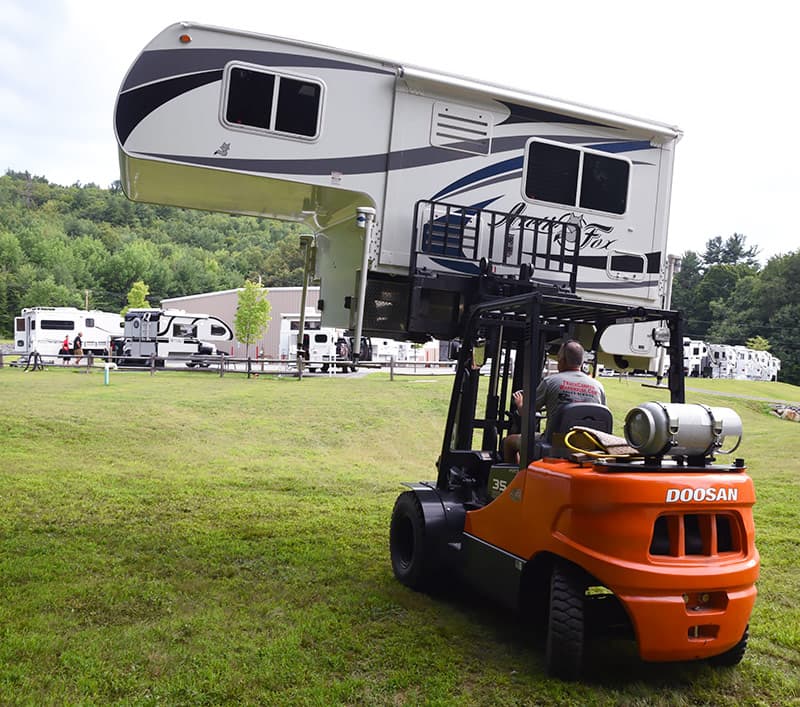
[(69, 246)]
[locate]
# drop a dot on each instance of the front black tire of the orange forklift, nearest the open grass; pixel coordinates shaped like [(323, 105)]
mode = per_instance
[(409, 545)]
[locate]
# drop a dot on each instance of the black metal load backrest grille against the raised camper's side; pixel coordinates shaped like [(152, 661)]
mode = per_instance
[(460, 240)]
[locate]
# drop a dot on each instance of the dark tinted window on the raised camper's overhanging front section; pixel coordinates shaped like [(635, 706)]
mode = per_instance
[(269, 101)]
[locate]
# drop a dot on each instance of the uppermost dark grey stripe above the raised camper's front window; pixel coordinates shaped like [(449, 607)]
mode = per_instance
[(158, 64)]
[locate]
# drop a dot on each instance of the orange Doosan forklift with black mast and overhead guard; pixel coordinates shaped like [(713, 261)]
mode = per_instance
[(657, 541)]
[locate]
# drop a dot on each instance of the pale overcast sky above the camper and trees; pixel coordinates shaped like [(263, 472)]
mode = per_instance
[(725, 73)]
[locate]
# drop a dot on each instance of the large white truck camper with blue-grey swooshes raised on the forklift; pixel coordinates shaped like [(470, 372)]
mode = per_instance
[(426, 192)]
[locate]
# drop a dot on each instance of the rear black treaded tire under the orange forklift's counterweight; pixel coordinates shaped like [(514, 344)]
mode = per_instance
[(566, 625)]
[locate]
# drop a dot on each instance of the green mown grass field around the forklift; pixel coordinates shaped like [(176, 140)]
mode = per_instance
[(190, 539)]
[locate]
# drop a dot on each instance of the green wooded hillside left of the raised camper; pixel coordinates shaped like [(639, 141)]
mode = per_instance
[(82, 237)]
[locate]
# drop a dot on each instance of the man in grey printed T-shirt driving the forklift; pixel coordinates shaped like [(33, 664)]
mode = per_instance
[(569, 385)]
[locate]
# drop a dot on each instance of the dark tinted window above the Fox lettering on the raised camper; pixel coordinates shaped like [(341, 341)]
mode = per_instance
[(571, 176)]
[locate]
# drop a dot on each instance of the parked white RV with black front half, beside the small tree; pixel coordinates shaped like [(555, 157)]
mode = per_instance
[(169, 334)]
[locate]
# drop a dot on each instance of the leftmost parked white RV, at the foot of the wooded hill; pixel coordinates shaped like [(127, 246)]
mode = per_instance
[(43, 329)]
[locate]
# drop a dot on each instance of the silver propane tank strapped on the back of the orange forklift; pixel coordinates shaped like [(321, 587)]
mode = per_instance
[(681, 429)]
